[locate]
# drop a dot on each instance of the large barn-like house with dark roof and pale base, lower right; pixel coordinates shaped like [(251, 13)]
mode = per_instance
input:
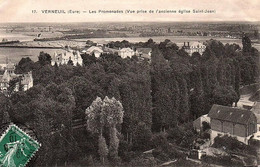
[(235, 122)]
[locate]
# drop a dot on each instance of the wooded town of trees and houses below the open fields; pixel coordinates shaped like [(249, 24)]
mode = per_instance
[(139, 104)]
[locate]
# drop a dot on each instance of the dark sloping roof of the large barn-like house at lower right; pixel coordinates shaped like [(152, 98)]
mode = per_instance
[(230, 114)]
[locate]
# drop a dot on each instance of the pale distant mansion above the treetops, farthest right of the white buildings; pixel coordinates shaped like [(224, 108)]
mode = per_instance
[(194, 47)]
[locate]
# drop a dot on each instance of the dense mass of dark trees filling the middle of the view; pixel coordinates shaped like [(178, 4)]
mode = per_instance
[(173, 89)]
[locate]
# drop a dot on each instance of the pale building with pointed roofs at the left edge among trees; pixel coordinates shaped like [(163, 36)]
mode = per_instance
[(26, 79)]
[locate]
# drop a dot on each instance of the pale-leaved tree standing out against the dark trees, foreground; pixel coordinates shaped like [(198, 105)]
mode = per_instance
[(108, 112)]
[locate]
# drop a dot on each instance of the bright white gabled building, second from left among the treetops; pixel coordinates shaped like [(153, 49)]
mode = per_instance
[(65, 57)]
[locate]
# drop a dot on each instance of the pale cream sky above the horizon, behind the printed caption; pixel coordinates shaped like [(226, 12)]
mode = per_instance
[(225, 10)]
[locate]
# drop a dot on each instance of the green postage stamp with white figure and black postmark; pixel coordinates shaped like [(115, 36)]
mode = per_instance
[(16, 147)]
